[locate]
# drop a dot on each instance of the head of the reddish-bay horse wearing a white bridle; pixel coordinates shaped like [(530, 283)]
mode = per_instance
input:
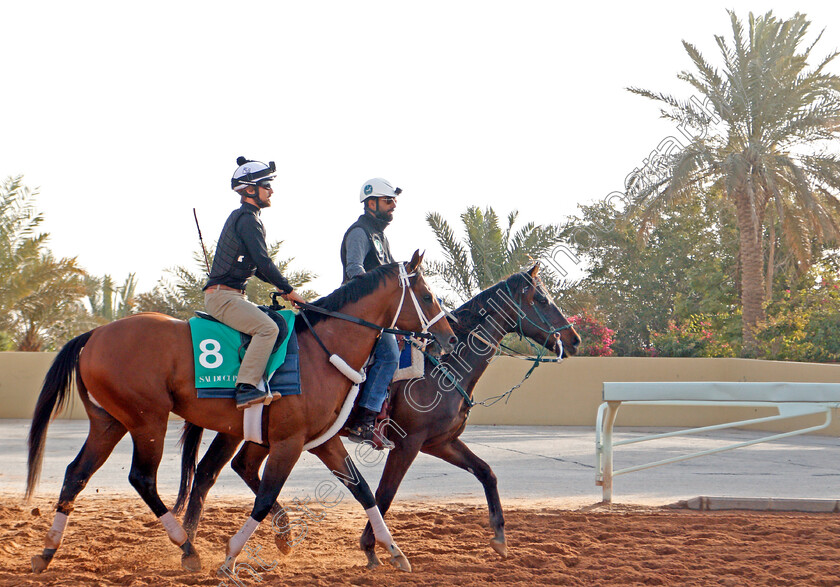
[(419, 309)]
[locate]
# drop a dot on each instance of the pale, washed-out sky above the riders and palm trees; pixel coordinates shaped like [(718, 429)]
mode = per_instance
[(127, 116)]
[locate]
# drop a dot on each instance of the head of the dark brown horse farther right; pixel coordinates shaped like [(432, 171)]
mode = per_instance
[(538, 317)]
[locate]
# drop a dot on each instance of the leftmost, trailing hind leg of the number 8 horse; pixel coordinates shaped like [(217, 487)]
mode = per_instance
[(104, 434)]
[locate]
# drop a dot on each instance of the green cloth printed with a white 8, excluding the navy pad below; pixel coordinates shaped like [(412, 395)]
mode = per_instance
[(217, 353)]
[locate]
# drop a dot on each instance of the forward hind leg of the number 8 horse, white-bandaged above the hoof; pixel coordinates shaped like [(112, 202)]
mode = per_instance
[(148, 450)]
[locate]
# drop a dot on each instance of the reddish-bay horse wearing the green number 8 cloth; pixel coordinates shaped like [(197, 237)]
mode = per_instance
[(133, 372)]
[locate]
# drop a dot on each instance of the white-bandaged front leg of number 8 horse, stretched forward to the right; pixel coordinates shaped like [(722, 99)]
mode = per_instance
[(333, 454)]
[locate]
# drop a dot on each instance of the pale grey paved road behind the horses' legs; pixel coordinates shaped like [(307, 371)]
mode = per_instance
[(547, 464)]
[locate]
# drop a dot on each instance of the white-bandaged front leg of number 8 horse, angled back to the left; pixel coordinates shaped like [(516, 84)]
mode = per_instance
[(282, 456)]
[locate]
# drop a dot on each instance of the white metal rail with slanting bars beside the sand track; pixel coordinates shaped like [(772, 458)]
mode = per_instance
[(791, 400)]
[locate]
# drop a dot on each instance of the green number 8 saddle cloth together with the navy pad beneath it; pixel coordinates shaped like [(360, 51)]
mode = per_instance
[(217, 353)]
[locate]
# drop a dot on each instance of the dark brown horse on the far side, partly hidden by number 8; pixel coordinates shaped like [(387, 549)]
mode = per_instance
[(428, 414)]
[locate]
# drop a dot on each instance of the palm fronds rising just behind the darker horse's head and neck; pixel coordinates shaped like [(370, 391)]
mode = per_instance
[(488, 253)]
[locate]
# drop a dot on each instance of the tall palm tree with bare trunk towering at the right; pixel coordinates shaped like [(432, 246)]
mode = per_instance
[(774, 118)]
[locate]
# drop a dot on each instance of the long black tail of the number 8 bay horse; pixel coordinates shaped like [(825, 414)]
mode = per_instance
[(51, 402)]
